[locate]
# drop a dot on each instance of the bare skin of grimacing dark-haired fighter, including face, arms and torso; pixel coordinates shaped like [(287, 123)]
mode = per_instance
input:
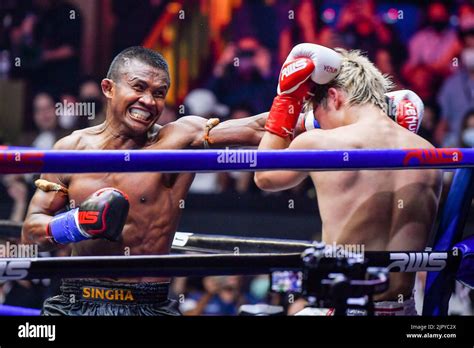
[(156, 199)]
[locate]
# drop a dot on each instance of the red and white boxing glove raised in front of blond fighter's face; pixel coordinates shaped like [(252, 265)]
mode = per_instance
[(306, 65)]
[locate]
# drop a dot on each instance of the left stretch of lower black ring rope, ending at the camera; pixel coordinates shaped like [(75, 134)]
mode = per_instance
[(146, 265)]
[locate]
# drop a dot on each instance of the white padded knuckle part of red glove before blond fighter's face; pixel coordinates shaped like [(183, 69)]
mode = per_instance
[(327, 61)]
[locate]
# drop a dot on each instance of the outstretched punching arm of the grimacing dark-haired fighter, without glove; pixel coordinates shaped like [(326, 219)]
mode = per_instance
[(194, 132)]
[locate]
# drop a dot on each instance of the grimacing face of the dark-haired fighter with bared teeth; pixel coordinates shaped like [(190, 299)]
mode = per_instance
[(139, 96)]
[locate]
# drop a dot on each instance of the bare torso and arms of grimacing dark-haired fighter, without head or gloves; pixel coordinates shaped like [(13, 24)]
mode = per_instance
[(156, 200)]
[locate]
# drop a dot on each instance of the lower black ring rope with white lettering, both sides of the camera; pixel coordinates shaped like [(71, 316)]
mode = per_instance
[(205, 265)]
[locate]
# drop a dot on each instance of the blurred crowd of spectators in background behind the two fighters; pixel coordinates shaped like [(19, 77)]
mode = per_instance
[(427, 46)]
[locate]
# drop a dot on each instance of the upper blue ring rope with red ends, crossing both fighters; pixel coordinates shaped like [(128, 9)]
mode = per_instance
[(173, 161)]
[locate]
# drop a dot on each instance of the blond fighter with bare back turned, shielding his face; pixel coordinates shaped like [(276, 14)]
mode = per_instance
[(382, 210)]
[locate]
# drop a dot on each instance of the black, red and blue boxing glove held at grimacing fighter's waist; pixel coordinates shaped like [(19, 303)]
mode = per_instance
[(102, 215)]
